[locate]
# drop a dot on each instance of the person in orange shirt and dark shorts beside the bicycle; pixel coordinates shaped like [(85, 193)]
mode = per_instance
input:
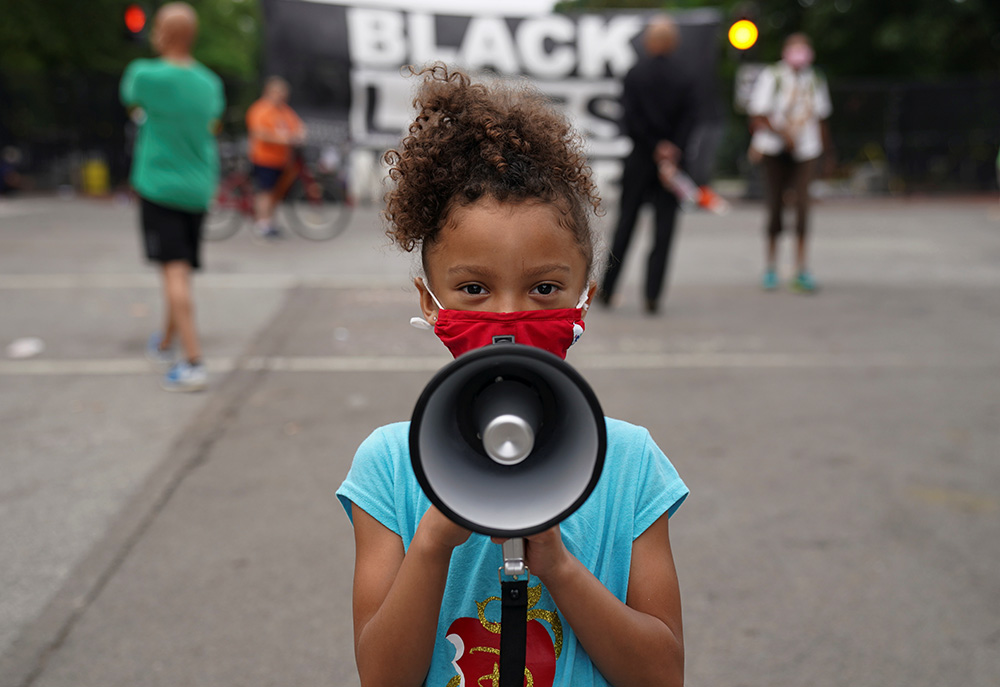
[(273, 129)]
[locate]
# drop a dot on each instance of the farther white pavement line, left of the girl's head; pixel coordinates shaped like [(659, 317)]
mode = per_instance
[(150, 280)]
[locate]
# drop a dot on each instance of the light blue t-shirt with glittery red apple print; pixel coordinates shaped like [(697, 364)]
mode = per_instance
[(637, 486)]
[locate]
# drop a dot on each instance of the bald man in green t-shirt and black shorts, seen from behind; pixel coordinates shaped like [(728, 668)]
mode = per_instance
[(175, 172)]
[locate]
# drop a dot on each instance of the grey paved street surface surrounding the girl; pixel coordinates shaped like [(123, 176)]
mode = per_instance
[(842, 450)]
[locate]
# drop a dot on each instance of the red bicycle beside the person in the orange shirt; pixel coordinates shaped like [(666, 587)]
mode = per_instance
[(312, 199)]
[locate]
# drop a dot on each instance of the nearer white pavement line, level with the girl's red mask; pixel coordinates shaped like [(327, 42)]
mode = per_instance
[(609, 361)]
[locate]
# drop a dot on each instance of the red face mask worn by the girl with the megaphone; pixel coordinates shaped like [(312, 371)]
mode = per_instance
[(464, 330)]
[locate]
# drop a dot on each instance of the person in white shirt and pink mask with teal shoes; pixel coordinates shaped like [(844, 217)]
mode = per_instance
[(788, 109)]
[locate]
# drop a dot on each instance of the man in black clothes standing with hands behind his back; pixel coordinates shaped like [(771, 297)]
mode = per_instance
[(659, 109)]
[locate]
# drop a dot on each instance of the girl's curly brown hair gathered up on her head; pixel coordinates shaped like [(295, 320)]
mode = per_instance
[(471, 141)]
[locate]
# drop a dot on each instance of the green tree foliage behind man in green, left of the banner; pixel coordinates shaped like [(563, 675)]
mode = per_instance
[(60, 62)]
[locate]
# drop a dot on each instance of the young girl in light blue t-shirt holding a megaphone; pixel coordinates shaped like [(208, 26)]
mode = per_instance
[(492, 186)]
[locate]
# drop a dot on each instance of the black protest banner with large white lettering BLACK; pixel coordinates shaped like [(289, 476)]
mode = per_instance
[(346, 64)]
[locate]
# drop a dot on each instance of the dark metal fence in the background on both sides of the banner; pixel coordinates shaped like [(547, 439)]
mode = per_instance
[(891, 136)]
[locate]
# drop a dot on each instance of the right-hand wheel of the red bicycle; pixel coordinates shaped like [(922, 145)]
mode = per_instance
[(319, 210)]
